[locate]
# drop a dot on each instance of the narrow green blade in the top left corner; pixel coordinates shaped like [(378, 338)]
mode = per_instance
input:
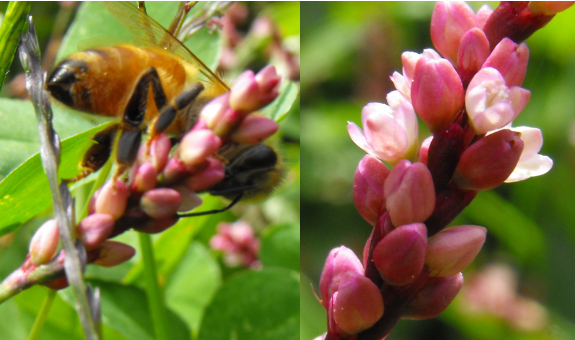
[(12, 26)]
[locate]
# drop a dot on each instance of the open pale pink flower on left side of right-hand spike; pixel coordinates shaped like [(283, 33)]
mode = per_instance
[(389, 134)]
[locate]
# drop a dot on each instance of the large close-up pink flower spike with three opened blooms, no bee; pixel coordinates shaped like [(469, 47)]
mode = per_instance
[(467, 93)]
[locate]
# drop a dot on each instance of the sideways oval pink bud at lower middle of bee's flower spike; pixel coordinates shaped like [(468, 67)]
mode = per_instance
[(161, 202)]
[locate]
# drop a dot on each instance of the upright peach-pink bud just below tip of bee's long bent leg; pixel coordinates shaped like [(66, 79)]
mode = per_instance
[(112, 199)]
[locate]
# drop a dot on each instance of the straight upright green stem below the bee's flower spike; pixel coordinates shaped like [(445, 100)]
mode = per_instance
[(153, 291)]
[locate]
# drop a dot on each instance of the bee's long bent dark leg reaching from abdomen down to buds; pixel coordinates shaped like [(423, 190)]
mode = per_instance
[(133, 118)]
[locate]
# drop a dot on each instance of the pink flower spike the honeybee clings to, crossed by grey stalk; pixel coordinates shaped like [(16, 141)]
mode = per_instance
[(161, 183)]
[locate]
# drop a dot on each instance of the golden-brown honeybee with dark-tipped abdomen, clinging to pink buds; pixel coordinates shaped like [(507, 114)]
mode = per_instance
[(158, 85)]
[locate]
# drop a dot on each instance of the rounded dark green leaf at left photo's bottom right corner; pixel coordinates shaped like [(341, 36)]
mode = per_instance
[(255, 305)]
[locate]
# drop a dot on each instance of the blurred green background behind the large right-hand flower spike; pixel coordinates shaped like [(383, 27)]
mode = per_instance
[(349, 50)]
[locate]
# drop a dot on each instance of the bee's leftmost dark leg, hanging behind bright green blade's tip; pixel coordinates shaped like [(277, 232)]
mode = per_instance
[(97, 154)]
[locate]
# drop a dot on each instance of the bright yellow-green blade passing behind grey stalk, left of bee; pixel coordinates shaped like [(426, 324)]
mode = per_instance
[(25, 192)]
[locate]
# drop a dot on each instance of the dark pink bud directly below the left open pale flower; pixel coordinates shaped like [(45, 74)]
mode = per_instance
[(368, 188)]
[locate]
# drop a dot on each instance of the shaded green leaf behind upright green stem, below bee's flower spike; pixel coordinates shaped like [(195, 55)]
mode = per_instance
[(126, 311)]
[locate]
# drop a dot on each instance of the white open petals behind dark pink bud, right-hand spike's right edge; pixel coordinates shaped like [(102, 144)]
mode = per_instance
[(531, 163)]
